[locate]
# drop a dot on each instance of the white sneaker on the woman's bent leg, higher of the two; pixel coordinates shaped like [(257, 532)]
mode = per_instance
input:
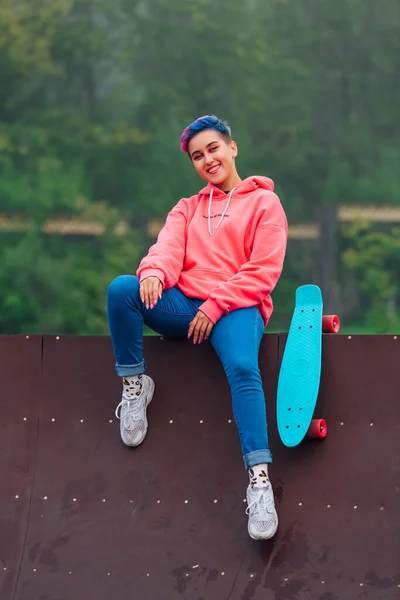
[(132, 414)]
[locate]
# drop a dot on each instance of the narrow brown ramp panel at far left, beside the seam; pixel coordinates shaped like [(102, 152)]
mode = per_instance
[(20, 367)]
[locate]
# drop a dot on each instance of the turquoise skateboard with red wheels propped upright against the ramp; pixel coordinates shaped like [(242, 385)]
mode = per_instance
[(300, 372)]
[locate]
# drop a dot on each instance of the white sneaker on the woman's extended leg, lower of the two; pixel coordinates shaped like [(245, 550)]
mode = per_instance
[(263, 519)]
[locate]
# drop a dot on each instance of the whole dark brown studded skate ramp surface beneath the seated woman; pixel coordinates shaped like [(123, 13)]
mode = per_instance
[(166, 520)]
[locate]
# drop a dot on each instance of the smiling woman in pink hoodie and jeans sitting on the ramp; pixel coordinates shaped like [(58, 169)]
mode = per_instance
[(209, 276)]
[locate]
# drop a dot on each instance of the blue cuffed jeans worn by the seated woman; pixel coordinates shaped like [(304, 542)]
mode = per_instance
[(236, 338)]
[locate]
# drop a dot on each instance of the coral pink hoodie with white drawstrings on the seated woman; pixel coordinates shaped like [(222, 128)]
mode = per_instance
[(226, 249)]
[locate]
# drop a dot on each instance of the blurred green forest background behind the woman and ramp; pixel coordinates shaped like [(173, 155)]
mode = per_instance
[(93, 98)]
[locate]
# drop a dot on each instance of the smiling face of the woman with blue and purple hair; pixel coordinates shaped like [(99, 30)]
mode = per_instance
[(213, 157)]
